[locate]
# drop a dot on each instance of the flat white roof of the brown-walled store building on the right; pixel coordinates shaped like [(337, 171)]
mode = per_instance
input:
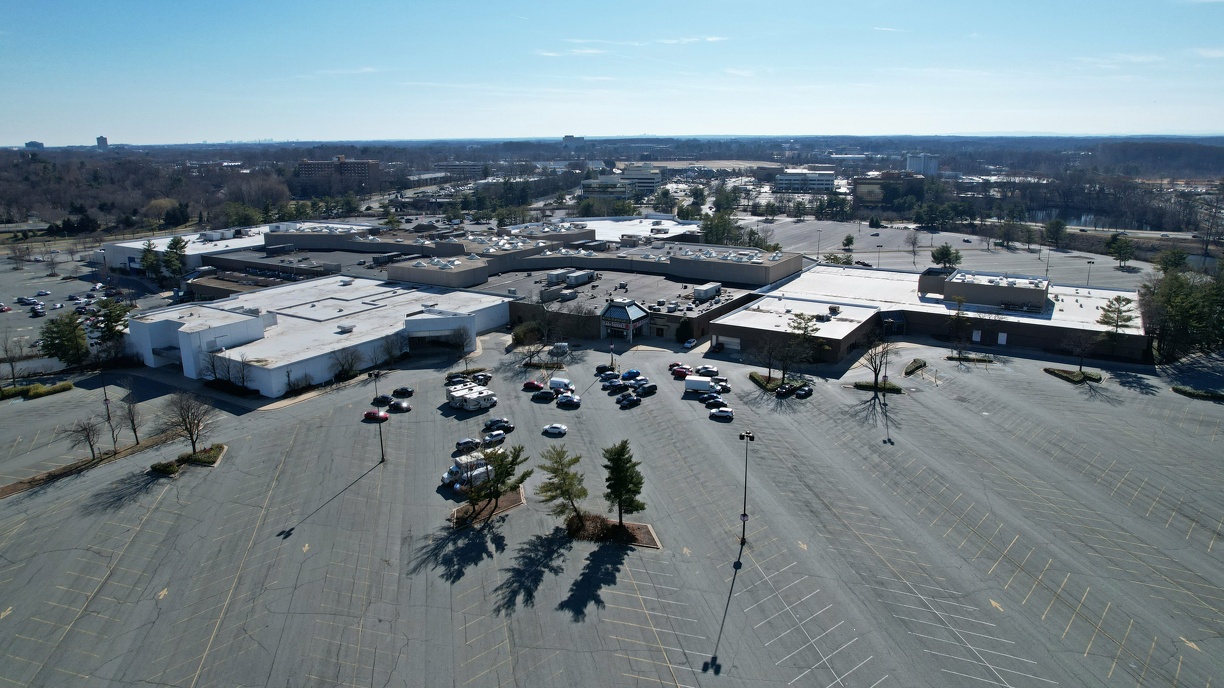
[(864, 292)]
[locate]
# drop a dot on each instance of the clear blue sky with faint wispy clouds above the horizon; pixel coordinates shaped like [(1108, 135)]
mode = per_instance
[(170, 72)]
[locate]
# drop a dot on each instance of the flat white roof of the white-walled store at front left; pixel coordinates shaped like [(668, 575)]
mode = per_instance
[(310, 314)]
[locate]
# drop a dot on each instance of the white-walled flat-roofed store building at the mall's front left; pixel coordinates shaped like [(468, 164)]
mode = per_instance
[(272, 338)]
